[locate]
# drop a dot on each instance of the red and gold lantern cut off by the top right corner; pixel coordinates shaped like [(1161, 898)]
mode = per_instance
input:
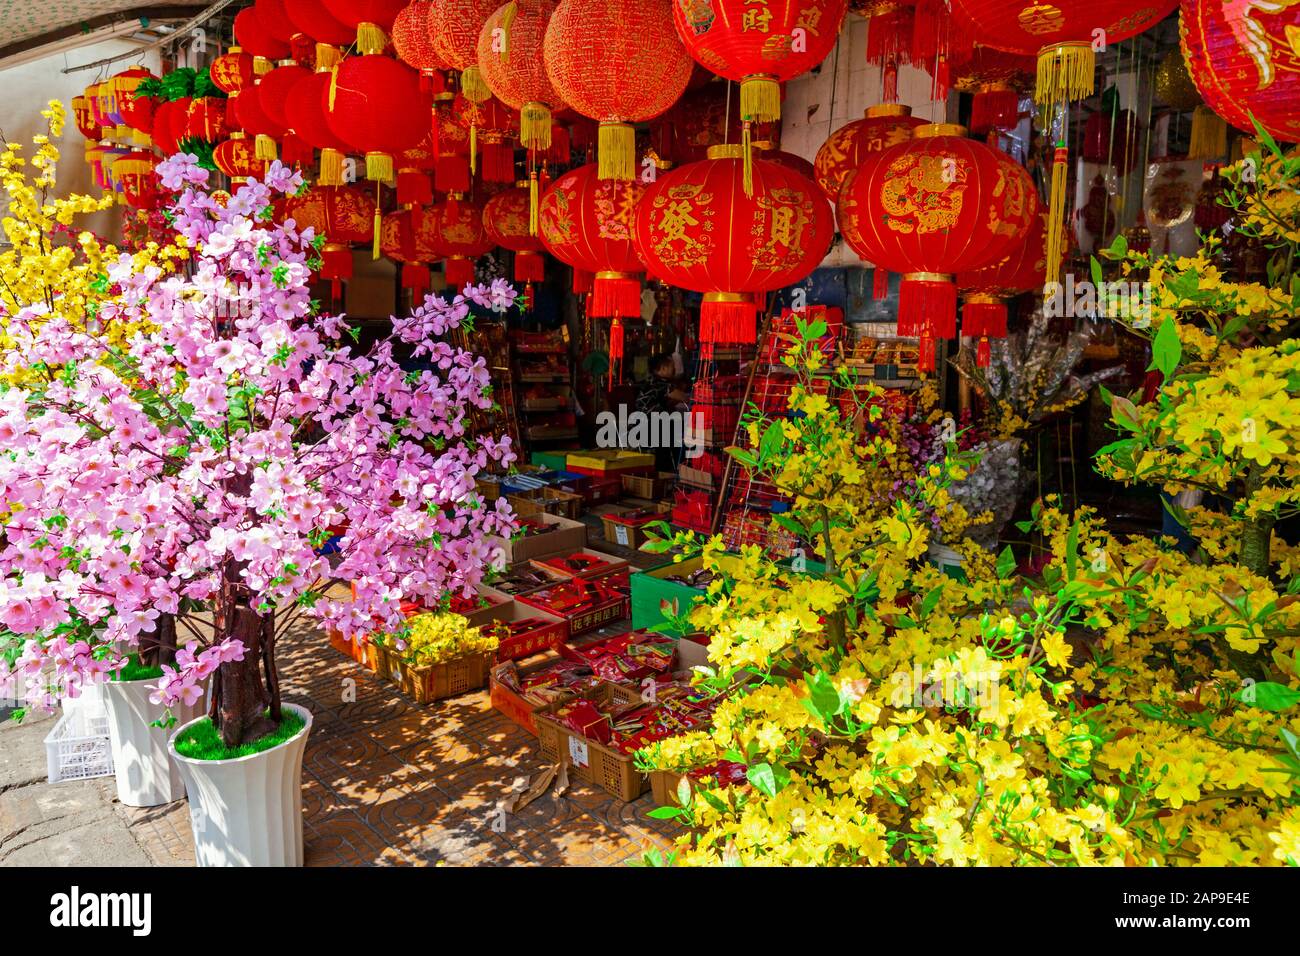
[(1246, 62)]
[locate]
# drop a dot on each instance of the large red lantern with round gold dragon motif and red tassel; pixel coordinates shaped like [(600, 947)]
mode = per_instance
[(929, 209)]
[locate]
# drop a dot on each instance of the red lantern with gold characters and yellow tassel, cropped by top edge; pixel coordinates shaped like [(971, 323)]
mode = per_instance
[(757, 45)]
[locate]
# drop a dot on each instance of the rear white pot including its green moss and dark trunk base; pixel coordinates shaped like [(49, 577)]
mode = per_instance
[(146, 773)]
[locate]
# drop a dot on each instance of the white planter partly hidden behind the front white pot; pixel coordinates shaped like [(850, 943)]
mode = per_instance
[(145, 771)]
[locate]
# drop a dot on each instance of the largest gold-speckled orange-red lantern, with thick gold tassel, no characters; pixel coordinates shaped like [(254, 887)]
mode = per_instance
[(619, 63)]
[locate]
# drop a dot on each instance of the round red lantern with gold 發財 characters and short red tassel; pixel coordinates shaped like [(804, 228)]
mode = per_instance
[(699, 228)]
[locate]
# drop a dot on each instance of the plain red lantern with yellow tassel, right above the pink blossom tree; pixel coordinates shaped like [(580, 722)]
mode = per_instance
[(376, 106)]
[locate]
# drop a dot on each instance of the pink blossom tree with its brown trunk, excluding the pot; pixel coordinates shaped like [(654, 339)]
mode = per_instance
[(188, 485)]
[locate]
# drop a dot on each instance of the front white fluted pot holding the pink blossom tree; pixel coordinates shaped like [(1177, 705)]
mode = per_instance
[(249, 811)]
